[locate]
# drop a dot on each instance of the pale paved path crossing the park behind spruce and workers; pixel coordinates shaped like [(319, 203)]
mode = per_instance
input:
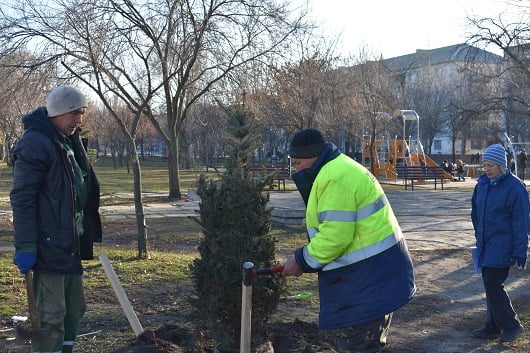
[(430, 219)]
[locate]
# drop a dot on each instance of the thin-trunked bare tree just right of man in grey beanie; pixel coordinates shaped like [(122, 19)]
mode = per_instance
[(84, 43)]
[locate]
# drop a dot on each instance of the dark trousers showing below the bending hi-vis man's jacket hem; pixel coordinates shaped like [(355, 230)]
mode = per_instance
[(369, 337)]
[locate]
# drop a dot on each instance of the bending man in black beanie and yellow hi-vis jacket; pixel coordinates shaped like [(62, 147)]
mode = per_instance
[(355, 244)]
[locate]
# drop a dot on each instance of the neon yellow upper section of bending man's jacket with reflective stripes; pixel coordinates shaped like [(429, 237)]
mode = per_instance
[(348, 216)]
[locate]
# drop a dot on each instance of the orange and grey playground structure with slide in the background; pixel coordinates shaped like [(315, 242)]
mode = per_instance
[(382, 155)]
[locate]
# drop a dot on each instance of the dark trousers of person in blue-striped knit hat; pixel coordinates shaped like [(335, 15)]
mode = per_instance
[(500, 313)]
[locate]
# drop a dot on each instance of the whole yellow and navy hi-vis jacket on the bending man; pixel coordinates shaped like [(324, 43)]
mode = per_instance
[(356, 245)]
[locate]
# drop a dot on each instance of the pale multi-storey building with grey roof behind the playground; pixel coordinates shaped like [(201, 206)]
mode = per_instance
[(452, 89)]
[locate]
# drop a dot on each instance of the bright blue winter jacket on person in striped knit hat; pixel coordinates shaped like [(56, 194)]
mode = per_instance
[(500, 215)]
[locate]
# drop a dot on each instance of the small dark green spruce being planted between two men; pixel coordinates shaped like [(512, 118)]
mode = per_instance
[(236, 224)]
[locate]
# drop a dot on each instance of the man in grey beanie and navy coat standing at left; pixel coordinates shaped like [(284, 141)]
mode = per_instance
[(55, 201)]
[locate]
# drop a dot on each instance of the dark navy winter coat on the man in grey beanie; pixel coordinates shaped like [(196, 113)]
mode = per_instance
[(43, 198)]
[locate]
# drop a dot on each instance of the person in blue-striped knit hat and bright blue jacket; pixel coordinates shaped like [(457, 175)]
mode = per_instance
[(500, 211)]
